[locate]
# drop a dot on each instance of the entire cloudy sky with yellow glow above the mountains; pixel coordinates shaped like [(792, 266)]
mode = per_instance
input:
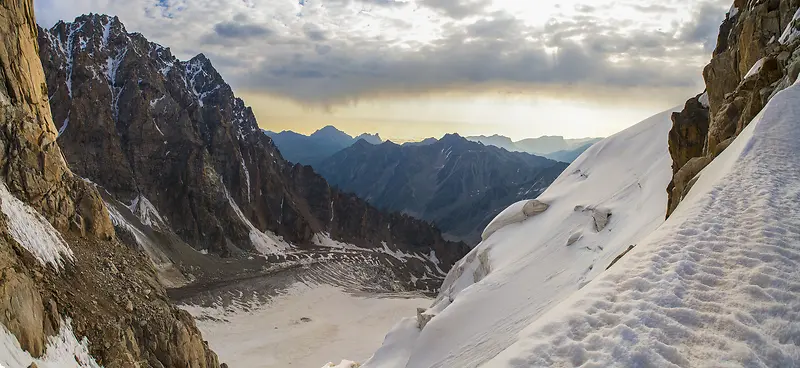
[(416, 68)]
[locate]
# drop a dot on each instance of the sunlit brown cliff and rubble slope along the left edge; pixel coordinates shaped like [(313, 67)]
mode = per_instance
[(60, 262)]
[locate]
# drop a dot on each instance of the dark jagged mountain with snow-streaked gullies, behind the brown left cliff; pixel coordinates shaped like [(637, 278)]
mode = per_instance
[(184, 163)]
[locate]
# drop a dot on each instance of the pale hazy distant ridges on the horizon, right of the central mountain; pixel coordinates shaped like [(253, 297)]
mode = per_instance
[(554, 147)]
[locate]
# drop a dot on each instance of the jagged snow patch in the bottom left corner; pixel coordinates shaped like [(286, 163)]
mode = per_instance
[(62, 351)]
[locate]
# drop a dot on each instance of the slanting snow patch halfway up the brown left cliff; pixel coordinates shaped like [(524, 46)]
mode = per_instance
[(32, 231)]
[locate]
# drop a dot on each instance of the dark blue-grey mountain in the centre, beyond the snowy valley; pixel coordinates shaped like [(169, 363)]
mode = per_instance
[(457, 184)]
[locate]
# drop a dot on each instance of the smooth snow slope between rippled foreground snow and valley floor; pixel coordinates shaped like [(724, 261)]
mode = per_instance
[(609, 198)]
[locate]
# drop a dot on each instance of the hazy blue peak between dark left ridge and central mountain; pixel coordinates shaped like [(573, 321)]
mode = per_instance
[(312, 149)]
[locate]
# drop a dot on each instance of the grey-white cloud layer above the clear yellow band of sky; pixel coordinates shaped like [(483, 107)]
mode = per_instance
[(322, 51)]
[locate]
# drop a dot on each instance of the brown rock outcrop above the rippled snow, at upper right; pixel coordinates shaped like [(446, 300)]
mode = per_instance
[(756, 57)]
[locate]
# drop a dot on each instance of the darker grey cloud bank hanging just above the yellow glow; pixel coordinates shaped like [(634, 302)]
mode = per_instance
[(495, 51)]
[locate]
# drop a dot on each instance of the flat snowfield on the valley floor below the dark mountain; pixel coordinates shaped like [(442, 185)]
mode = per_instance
[(339, 325)]
